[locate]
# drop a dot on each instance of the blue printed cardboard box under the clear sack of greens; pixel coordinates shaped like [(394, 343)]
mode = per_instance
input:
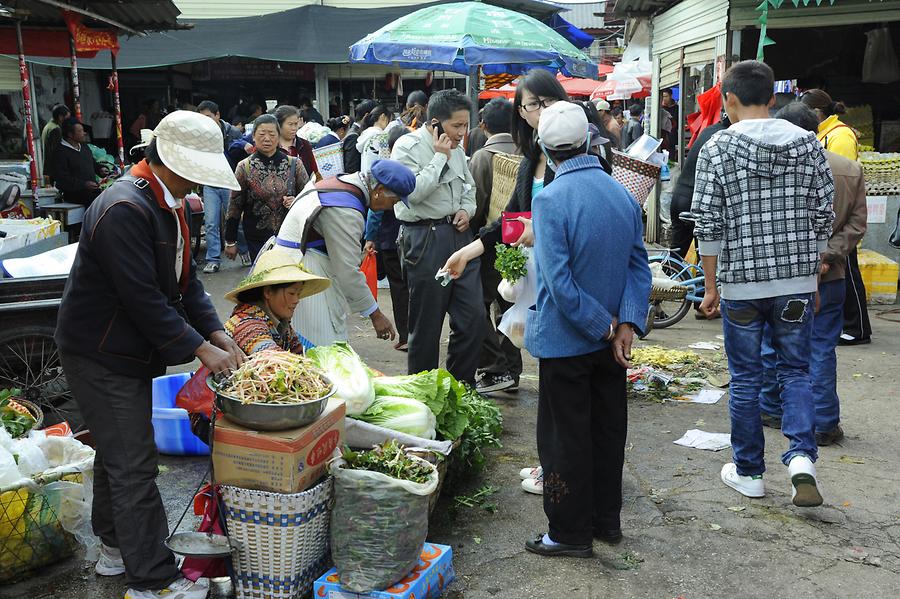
[(431, 576)]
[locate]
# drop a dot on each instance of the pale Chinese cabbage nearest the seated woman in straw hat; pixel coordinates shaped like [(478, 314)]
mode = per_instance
[(351, 378)]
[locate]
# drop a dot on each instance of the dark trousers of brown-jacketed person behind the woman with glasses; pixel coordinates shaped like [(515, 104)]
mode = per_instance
[(498, 354)]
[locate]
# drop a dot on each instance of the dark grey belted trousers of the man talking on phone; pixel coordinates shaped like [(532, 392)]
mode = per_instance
[(425, 250)]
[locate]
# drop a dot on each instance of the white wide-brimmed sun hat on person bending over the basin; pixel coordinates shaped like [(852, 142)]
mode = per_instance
[(191, 146)]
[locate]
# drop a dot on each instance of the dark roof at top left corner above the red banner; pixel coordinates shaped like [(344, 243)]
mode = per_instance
[(141, 15)]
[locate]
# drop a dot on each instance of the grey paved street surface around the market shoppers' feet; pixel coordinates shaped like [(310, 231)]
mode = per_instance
[(686, 534)]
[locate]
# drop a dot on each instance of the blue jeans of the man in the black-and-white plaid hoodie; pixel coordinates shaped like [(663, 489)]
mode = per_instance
[(790, 318)]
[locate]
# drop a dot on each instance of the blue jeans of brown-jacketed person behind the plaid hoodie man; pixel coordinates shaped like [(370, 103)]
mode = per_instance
[(827, 324)]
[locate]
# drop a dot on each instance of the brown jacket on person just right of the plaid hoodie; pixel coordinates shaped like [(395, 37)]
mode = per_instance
[(849, 214)]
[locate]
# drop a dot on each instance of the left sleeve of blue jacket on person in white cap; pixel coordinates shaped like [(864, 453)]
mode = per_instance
[(554, 255)]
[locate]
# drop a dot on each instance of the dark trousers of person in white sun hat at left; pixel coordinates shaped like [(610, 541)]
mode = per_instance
[(128, 512)]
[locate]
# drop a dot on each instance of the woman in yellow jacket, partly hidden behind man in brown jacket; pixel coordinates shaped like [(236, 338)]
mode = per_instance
[(841, 139)]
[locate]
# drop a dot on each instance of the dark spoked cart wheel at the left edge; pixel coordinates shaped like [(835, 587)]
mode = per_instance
[(29, 360)]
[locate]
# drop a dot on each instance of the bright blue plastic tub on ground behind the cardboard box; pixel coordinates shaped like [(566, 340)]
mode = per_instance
[(171, 425)]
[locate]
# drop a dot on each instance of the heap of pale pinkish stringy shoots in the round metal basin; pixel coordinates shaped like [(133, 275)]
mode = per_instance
[(276, 377)]
